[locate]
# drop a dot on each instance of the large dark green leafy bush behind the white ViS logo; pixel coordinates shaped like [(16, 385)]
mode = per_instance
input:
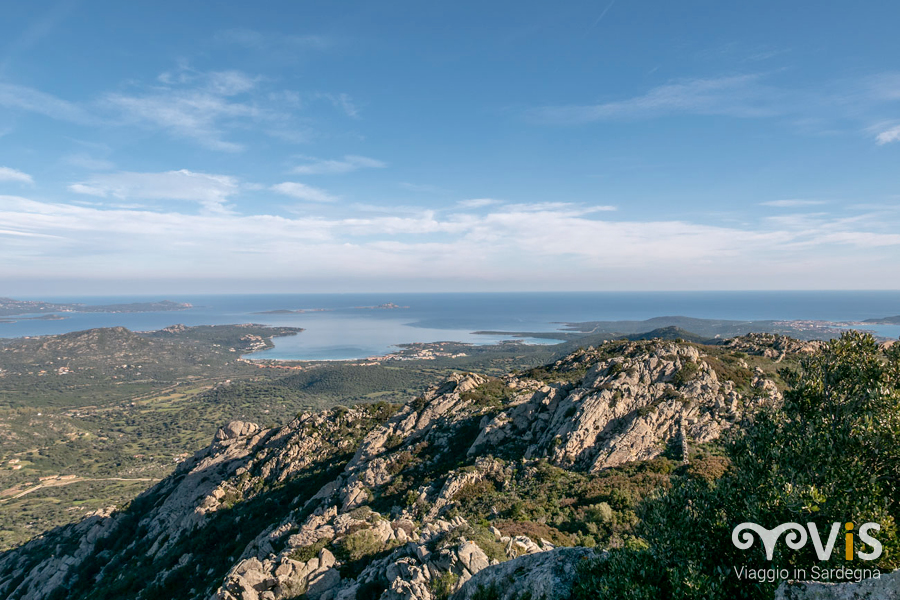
[(830, 454)]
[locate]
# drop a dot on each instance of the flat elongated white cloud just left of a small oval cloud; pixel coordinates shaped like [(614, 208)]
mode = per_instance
[(209, 191)]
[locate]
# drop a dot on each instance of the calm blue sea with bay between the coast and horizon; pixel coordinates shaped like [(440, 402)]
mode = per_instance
[(351, 326)]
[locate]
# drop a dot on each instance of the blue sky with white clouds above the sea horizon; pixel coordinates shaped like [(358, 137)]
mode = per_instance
[(308, 146)]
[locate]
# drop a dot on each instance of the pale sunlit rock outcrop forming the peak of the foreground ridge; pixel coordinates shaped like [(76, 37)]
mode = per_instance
[(622, 408)]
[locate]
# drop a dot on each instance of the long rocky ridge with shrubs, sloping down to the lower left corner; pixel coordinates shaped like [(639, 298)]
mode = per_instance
[(361, 502)]
